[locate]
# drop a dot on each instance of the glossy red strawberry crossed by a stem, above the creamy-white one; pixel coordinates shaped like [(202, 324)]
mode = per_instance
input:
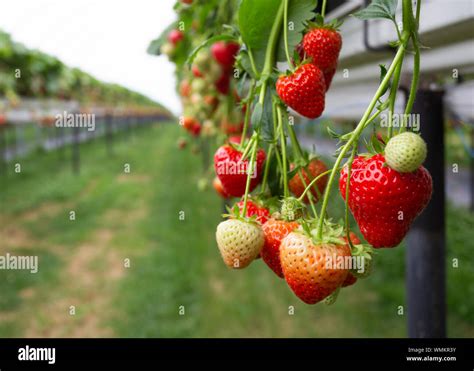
[(232, 171)]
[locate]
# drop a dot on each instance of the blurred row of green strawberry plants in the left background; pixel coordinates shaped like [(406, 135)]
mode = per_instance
[(31, 73)]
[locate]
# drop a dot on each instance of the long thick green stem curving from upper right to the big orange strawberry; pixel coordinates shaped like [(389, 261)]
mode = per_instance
[(356, 133)]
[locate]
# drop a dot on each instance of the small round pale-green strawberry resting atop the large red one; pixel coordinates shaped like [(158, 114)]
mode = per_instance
[(405, 152)]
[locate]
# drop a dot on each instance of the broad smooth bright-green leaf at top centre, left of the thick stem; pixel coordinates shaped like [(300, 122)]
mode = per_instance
[(255, 20)]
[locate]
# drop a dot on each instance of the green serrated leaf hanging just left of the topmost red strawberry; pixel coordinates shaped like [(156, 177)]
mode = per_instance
[(300, 12)]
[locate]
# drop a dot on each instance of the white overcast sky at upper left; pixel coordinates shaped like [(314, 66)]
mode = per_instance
[(106, 38)]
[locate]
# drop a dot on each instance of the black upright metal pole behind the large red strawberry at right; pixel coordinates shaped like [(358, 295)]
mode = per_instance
[(426, 260)]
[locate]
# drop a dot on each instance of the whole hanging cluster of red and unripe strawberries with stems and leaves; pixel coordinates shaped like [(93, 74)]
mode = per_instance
[(279, 185)]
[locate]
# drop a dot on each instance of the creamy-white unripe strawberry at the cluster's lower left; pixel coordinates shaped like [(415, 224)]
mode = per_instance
[(239, 242)]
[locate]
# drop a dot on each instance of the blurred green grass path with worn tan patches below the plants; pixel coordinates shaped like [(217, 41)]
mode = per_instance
[(174, 263)]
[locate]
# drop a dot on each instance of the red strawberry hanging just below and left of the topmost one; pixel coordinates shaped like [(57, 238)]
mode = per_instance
[(303, 90)]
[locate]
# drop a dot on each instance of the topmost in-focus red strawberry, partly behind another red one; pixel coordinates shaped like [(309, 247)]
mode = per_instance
[(322, 44)]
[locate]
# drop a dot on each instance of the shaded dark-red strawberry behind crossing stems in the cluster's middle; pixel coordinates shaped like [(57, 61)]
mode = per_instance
[(315, 168)]
